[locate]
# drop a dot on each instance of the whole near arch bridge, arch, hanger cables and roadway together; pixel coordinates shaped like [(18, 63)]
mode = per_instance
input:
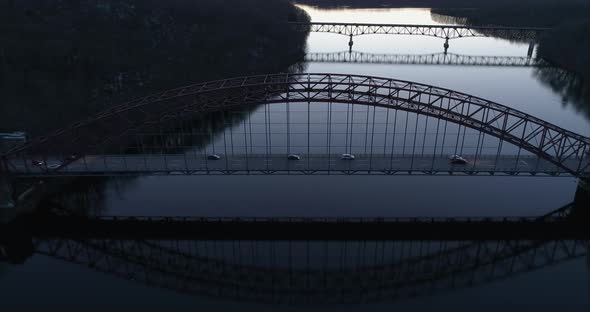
[(391, 127)]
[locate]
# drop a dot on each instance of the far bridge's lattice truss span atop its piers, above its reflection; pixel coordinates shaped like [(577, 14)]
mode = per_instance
[(439, 31)]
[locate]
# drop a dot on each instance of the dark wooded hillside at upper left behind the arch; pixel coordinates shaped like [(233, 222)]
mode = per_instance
[(61, 60)]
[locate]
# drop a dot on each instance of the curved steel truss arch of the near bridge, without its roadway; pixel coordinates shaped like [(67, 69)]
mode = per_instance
[(564, 149)]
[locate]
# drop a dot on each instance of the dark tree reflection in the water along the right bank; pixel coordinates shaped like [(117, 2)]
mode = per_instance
[(572, 88)]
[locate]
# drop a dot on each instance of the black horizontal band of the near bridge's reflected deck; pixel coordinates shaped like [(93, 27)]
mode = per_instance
[(307, 229)]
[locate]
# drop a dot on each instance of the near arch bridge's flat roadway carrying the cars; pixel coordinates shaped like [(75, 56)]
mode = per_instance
[(185, 164)]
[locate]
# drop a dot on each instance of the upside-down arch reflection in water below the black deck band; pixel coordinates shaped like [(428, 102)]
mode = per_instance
[(426, 268)]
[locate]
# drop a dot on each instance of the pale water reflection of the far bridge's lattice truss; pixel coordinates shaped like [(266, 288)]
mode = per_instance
[(425, 59)]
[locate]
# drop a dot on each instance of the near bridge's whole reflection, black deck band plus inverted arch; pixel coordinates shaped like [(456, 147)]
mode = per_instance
[(386, 260)]
